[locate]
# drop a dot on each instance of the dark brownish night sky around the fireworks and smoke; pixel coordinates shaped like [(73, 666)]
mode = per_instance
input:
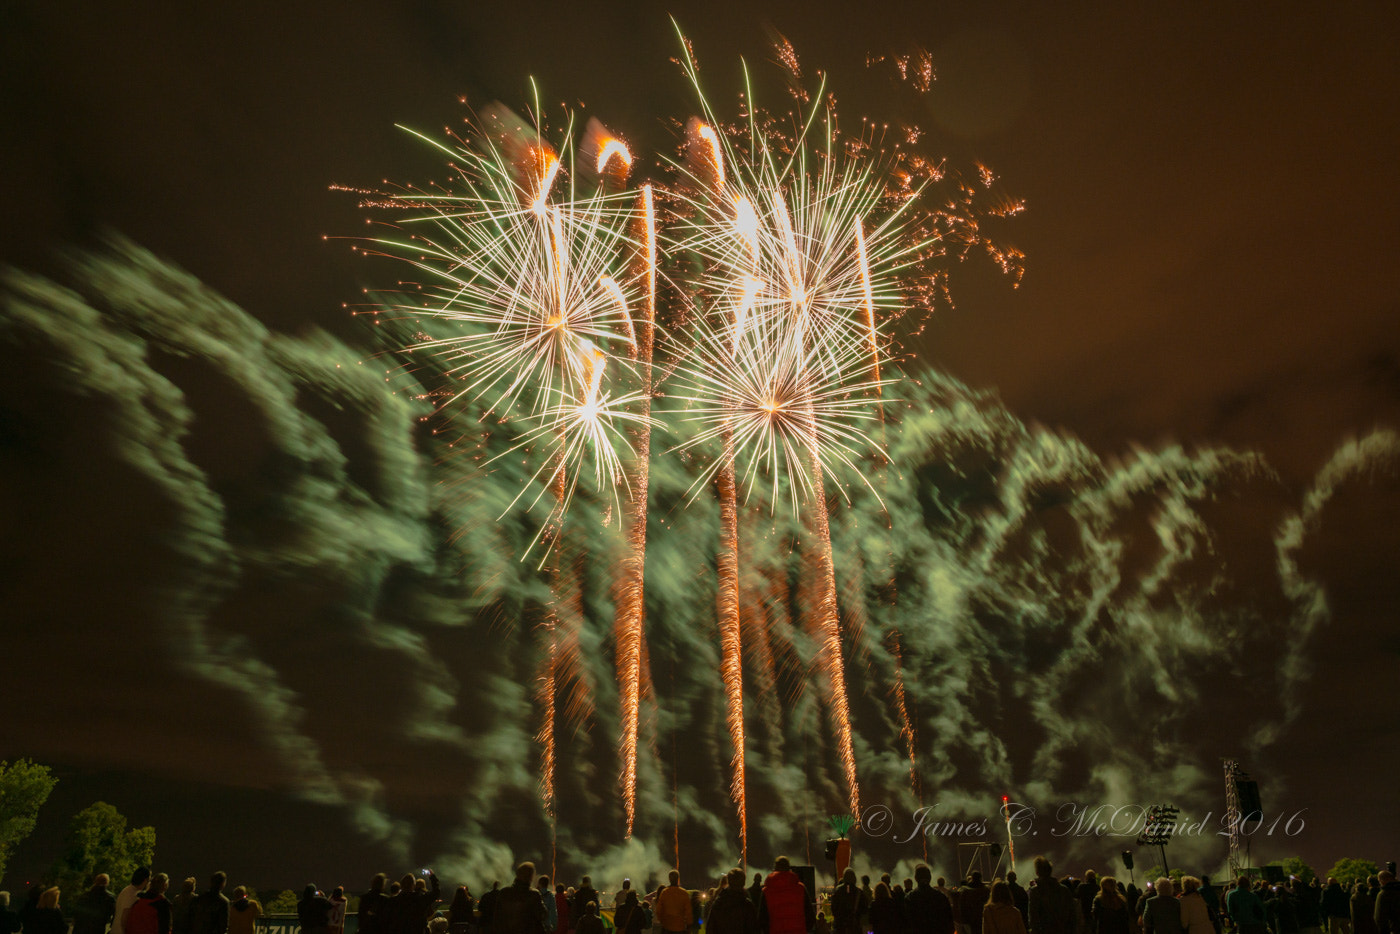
[(1212, 221)]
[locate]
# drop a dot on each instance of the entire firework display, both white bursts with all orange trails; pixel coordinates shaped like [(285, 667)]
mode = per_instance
[(540, 303)]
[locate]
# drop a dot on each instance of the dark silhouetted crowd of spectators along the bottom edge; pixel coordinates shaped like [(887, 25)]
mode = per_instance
[(776, 904)]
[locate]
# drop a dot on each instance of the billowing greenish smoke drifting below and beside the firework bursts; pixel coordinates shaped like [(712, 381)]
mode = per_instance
[(274, 534)]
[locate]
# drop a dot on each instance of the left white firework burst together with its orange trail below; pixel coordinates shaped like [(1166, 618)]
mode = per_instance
[(527, 299)]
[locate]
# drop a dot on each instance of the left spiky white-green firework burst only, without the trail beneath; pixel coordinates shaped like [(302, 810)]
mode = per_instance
[(524, 274)]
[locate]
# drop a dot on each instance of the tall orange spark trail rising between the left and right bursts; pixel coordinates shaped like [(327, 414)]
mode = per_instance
[(629, 596)]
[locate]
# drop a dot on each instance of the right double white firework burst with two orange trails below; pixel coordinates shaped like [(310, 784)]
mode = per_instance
[(801, 250)]
